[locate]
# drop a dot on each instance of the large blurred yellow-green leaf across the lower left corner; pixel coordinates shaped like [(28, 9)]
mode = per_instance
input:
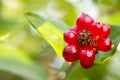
[(15, 61)]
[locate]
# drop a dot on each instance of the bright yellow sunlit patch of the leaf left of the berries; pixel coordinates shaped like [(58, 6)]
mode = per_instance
[(53, 36)]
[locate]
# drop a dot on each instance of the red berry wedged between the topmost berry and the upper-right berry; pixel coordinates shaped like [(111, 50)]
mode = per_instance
[(95, 29)]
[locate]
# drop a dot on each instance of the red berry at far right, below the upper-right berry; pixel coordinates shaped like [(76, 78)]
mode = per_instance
[(104, 44)]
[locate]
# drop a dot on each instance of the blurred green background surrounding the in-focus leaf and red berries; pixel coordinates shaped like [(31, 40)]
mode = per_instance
[(25, 55)]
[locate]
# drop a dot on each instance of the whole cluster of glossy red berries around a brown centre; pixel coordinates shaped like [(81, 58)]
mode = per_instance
[(85, 39)]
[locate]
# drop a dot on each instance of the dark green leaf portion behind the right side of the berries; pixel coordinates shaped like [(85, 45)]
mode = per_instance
[(115, 38)]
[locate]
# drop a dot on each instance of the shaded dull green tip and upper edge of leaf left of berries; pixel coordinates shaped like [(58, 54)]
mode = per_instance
[(37, 20)]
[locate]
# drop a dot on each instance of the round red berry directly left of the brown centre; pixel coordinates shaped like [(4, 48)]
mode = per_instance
[(70, 37)]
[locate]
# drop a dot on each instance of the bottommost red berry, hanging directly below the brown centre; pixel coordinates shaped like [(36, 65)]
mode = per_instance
[(87, 57)]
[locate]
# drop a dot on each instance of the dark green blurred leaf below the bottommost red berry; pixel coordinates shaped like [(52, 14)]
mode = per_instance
[(97, 72)]
